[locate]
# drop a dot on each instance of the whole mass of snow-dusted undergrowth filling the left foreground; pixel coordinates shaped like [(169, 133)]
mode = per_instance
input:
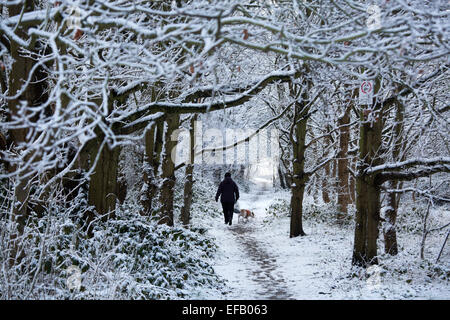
[(129, 257)]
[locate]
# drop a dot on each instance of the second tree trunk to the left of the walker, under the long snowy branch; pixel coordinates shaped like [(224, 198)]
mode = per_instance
[(168, 172)]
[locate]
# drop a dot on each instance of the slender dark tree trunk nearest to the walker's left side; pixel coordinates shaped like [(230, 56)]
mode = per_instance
[(186, 209)]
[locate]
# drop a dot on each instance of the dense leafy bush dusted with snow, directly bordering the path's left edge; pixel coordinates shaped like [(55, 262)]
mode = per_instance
[(158, 261)]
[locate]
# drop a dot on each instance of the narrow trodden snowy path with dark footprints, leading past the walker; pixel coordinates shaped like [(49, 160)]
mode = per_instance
[(250, 267)]
